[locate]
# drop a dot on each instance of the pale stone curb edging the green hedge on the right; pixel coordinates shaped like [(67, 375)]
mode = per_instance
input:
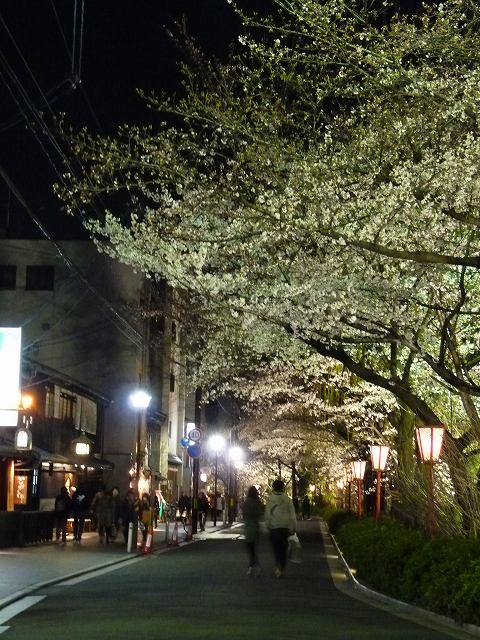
[(399, 605)]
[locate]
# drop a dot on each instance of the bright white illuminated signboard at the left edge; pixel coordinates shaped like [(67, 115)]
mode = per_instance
[(10, 351)]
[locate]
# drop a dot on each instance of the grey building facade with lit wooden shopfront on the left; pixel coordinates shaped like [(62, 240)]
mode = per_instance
[(90, 337)]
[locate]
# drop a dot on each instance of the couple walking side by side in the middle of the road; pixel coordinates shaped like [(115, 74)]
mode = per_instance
[(280, 519)]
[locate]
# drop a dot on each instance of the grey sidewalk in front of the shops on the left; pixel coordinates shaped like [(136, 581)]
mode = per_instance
[(24, 569)]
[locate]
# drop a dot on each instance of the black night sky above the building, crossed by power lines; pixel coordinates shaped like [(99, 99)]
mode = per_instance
[(123, 46)]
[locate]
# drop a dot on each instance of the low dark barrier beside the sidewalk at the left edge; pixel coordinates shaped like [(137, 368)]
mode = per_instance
[(19, 528)]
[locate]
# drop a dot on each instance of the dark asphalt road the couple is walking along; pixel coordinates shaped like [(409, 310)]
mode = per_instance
[(201, 592)]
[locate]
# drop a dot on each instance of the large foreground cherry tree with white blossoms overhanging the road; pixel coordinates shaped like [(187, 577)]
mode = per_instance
[(323, 186)]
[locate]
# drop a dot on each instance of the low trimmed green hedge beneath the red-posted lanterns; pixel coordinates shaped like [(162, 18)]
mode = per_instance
[(439, 574)]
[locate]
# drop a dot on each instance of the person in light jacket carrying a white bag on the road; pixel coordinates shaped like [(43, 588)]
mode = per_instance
[(281, 521)]
